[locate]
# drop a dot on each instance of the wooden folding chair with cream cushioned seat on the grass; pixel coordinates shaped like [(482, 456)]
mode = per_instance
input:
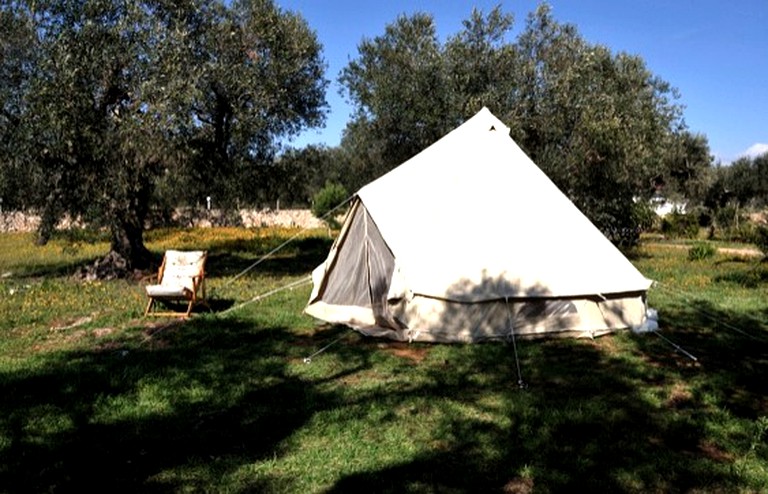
[(180, 279)]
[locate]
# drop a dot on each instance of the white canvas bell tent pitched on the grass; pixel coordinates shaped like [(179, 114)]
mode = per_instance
[(469, 240)]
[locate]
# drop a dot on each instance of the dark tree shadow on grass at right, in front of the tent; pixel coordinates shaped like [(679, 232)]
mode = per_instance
[(593, 418)]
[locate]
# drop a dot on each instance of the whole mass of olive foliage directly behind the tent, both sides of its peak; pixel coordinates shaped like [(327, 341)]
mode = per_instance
[(600, 124)]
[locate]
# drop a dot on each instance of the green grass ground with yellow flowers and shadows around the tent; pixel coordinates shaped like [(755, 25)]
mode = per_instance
[(95, 396)]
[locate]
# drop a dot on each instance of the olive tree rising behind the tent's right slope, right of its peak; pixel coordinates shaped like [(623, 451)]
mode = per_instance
[(600, 124)]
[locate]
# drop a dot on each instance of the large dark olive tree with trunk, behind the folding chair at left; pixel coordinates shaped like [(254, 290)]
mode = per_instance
[(104, 101)]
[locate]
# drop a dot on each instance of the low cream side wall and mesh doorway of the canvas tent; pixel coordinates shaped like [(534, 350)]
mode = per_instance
[(358, 287)]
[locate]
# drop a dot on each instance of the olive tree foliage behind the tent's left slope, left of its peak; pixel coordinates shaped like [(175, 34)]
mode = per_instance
[(397, 84)]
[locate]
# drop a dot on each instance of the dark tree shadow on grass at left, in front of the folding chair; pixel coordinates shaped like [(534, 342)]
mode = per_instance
[(192, 403)]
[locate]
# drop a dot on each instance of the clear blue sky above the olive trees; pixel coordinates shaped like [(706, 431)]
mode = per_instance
[(715, 52)]
